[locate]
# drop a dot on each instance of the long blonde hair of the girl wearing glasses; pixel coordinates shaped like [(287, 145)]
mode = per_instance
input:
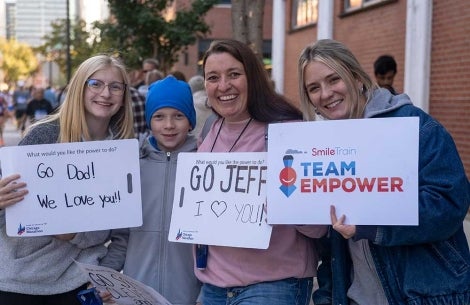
[(71, 114)]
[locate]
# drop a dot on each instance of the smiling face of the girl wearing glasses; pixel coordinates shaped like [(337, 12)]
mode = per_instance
[(100, 107)]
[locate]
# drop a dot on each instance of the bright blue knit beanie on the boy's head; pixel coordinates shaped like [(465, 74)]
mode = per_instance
[(170, 92)]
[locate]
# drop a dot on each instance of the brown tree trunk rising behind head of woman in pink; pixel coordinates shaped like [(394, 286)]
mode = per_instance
[(247, 23)]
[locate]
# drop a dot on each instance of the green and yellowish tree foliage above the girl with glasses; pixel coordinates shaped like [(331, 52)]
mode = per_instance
[(138, 30)]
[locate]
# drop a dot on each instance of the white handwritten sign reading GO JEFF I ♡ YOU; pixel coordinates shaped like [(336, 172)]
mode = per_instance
[(220, 199)]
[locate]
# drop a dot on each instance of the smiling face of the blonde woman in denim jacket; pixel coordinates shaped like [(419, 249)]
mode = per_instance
[(327, 92)]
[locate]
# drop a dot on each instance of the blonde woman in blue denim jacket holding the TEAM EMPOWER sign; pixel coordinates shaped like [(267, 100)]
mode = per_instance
[(379, 264)]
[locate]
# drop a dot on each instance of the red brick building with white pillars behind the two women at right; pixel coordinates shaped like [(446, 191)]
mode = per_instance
[(428, 38)]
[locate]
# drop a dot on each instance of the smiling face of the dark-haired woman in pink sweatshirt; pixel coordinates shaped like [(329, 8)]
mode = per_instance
[(227, 86)]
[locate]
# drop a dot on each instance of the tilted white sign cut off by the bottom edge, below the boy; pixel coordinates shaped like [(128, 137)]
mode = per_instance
[(123, 289)]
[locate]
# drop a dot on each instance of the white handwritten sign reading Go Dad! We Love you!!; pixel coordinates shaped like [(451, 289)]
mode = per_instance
[(74, 187)]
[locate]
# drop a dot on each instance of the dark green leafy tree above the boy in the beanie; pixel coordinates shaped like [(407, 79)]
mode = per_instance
[(143, 29)]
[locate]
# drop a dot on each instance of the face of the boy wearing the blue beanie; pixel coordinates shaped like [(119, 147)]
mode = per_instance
[(170, 128)]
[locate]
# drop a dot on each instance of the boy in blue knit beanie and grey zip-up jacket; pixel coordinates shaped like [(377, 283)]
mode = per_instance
[(148, 256)]
